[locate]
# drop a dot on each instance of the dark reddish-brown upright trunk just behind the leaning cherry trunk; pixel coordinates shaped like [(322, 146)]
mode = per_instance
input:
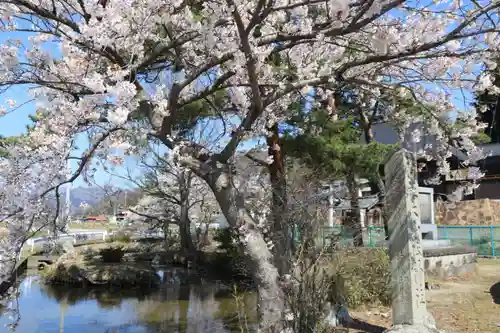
[(281, 231)]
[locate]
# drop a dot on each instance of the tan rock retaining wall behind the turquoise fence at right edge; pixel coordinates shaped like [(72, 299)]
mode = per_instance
[(470, 212)]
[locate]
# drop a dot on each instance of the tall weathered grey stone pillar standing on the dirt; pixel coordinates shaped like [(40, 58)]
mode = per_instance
[(409, 310)]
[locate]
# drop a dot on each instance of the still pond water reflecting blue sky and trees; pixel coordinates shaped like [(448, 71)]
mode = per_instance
[(182, 304)]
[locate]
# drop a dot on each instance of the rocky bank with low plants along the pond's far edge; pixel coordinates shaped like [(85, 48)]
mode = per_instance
[(131, 264)]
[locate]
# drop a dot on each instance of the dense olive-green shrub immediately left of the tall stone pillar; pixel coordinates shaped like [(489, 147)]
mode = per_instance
[(364, 274)]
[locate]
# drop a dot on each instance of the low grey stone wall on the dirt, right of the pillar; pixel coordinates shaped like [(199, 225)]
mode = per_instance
[(450, 265)]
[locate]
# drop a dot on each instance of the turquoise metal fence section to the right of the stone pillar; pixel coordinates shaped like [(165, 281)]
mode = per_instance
[(485, 239)]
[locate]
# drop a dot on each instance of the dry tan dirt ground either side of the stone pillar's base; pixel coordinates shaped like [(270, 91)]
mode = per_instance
[(459, 305)]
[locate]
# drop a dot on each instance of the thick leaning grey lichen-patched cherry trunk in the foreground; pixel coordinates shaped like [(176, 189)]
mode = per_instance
[(259, 258)]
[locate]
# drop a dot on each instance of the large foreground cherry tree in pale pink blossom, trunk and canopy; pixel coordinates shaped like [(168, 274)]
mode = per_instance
[(92, 65)]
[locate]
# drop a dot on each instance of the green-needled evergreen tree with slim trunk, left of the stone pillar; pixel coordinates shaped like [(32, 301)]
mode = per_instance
[(333, 149)]
